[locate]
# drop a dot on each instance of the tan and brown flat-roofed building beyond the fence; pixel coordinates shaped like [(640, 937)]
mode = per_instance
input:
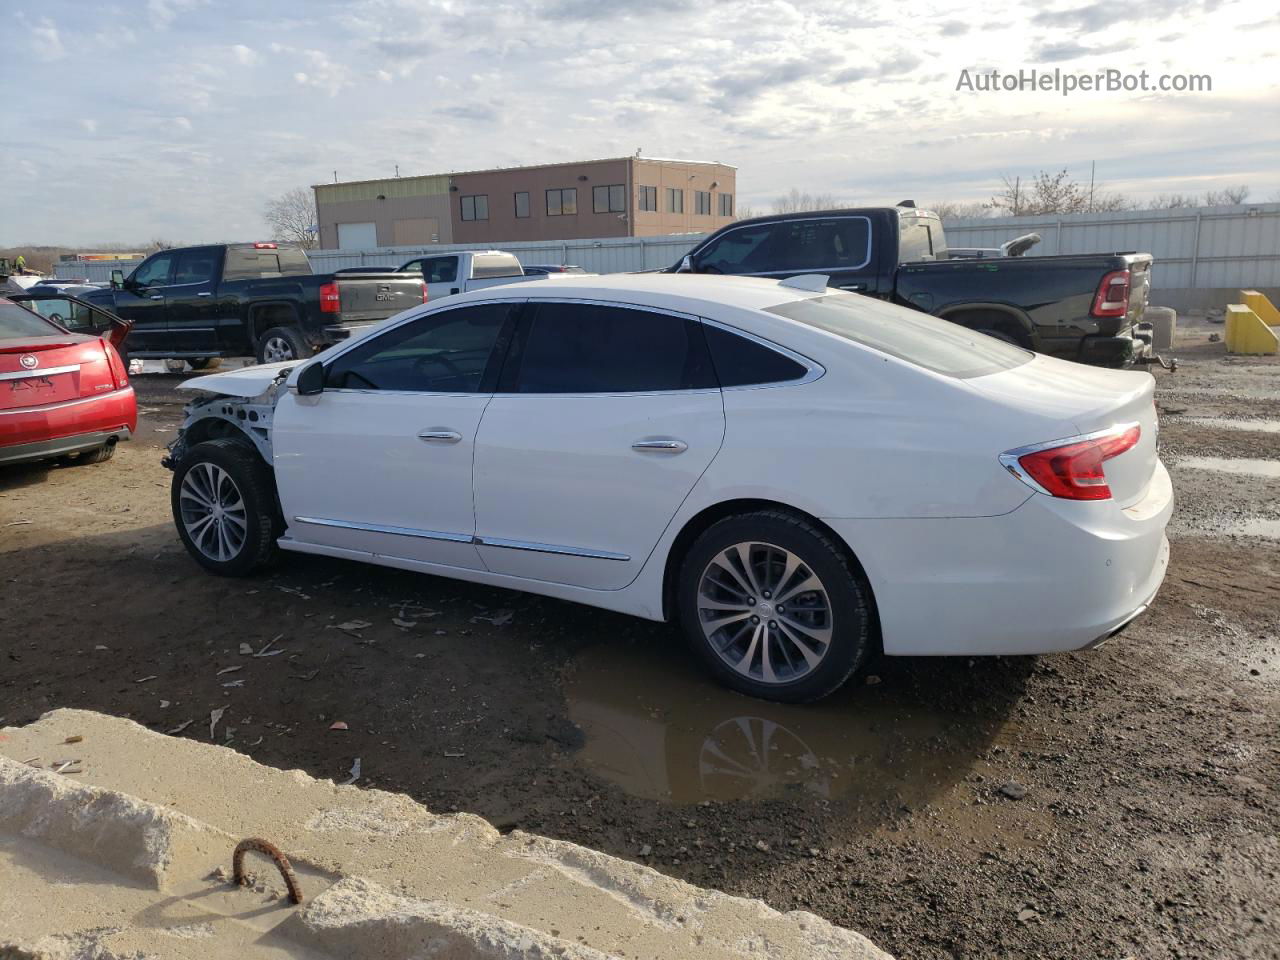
[(624, 198)]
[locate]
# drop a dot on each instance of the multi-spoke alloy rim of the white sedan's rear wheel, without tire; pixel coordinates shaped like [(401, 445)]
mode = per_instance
[(765, 612)]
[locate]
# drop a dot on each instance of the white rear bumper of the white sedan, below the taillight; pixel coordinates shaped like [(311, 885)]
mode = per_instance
[(1050, 577)]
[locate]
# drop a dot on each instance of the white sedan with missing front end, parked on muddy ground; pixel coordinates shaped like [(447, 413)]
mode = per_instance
[(799, 477)]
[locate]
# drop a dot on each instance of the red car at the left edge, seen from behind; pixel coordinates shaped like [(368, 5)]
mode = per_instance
[(65, 388)]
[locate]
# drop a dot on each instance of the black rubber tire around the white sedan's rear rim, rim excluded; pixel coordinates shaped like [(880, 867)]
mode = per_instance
[(849, 595)]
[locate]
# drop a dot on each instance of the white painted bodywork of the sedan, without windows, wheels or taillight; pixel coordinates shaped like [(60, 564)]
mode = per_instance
[(900, 463)]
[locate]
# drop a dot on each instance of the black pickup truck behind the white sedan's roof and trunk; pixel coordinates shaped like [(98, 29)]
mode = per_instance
[(1081, 308)]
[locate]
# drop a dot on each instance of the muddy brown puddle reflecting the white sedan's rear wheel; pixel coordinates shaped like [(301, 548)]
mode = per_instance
[(661, 730)]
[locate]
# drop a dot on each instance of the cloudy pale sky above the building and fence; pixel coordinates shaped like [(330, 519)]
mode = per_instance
[(179, 120)]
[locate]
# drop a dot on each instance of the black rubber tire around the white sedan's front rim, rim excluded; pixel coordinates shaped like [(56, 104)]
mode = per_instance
[(254, 481)]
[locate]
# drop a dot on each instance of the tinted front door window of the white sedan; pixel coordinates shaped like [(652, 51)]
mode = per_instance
[(446, 353)]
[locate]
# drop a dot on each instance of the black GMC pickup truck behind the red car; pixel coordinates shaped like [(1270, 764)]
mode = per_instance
[(246, 300)]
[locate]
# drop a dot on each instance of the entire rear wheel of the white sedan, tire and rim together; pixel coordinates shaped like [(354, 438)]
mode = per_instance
[(840, 611)]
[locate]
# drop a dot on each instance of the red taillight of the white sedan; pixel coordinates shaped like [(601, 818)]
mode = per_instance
[(1072, 469)]
